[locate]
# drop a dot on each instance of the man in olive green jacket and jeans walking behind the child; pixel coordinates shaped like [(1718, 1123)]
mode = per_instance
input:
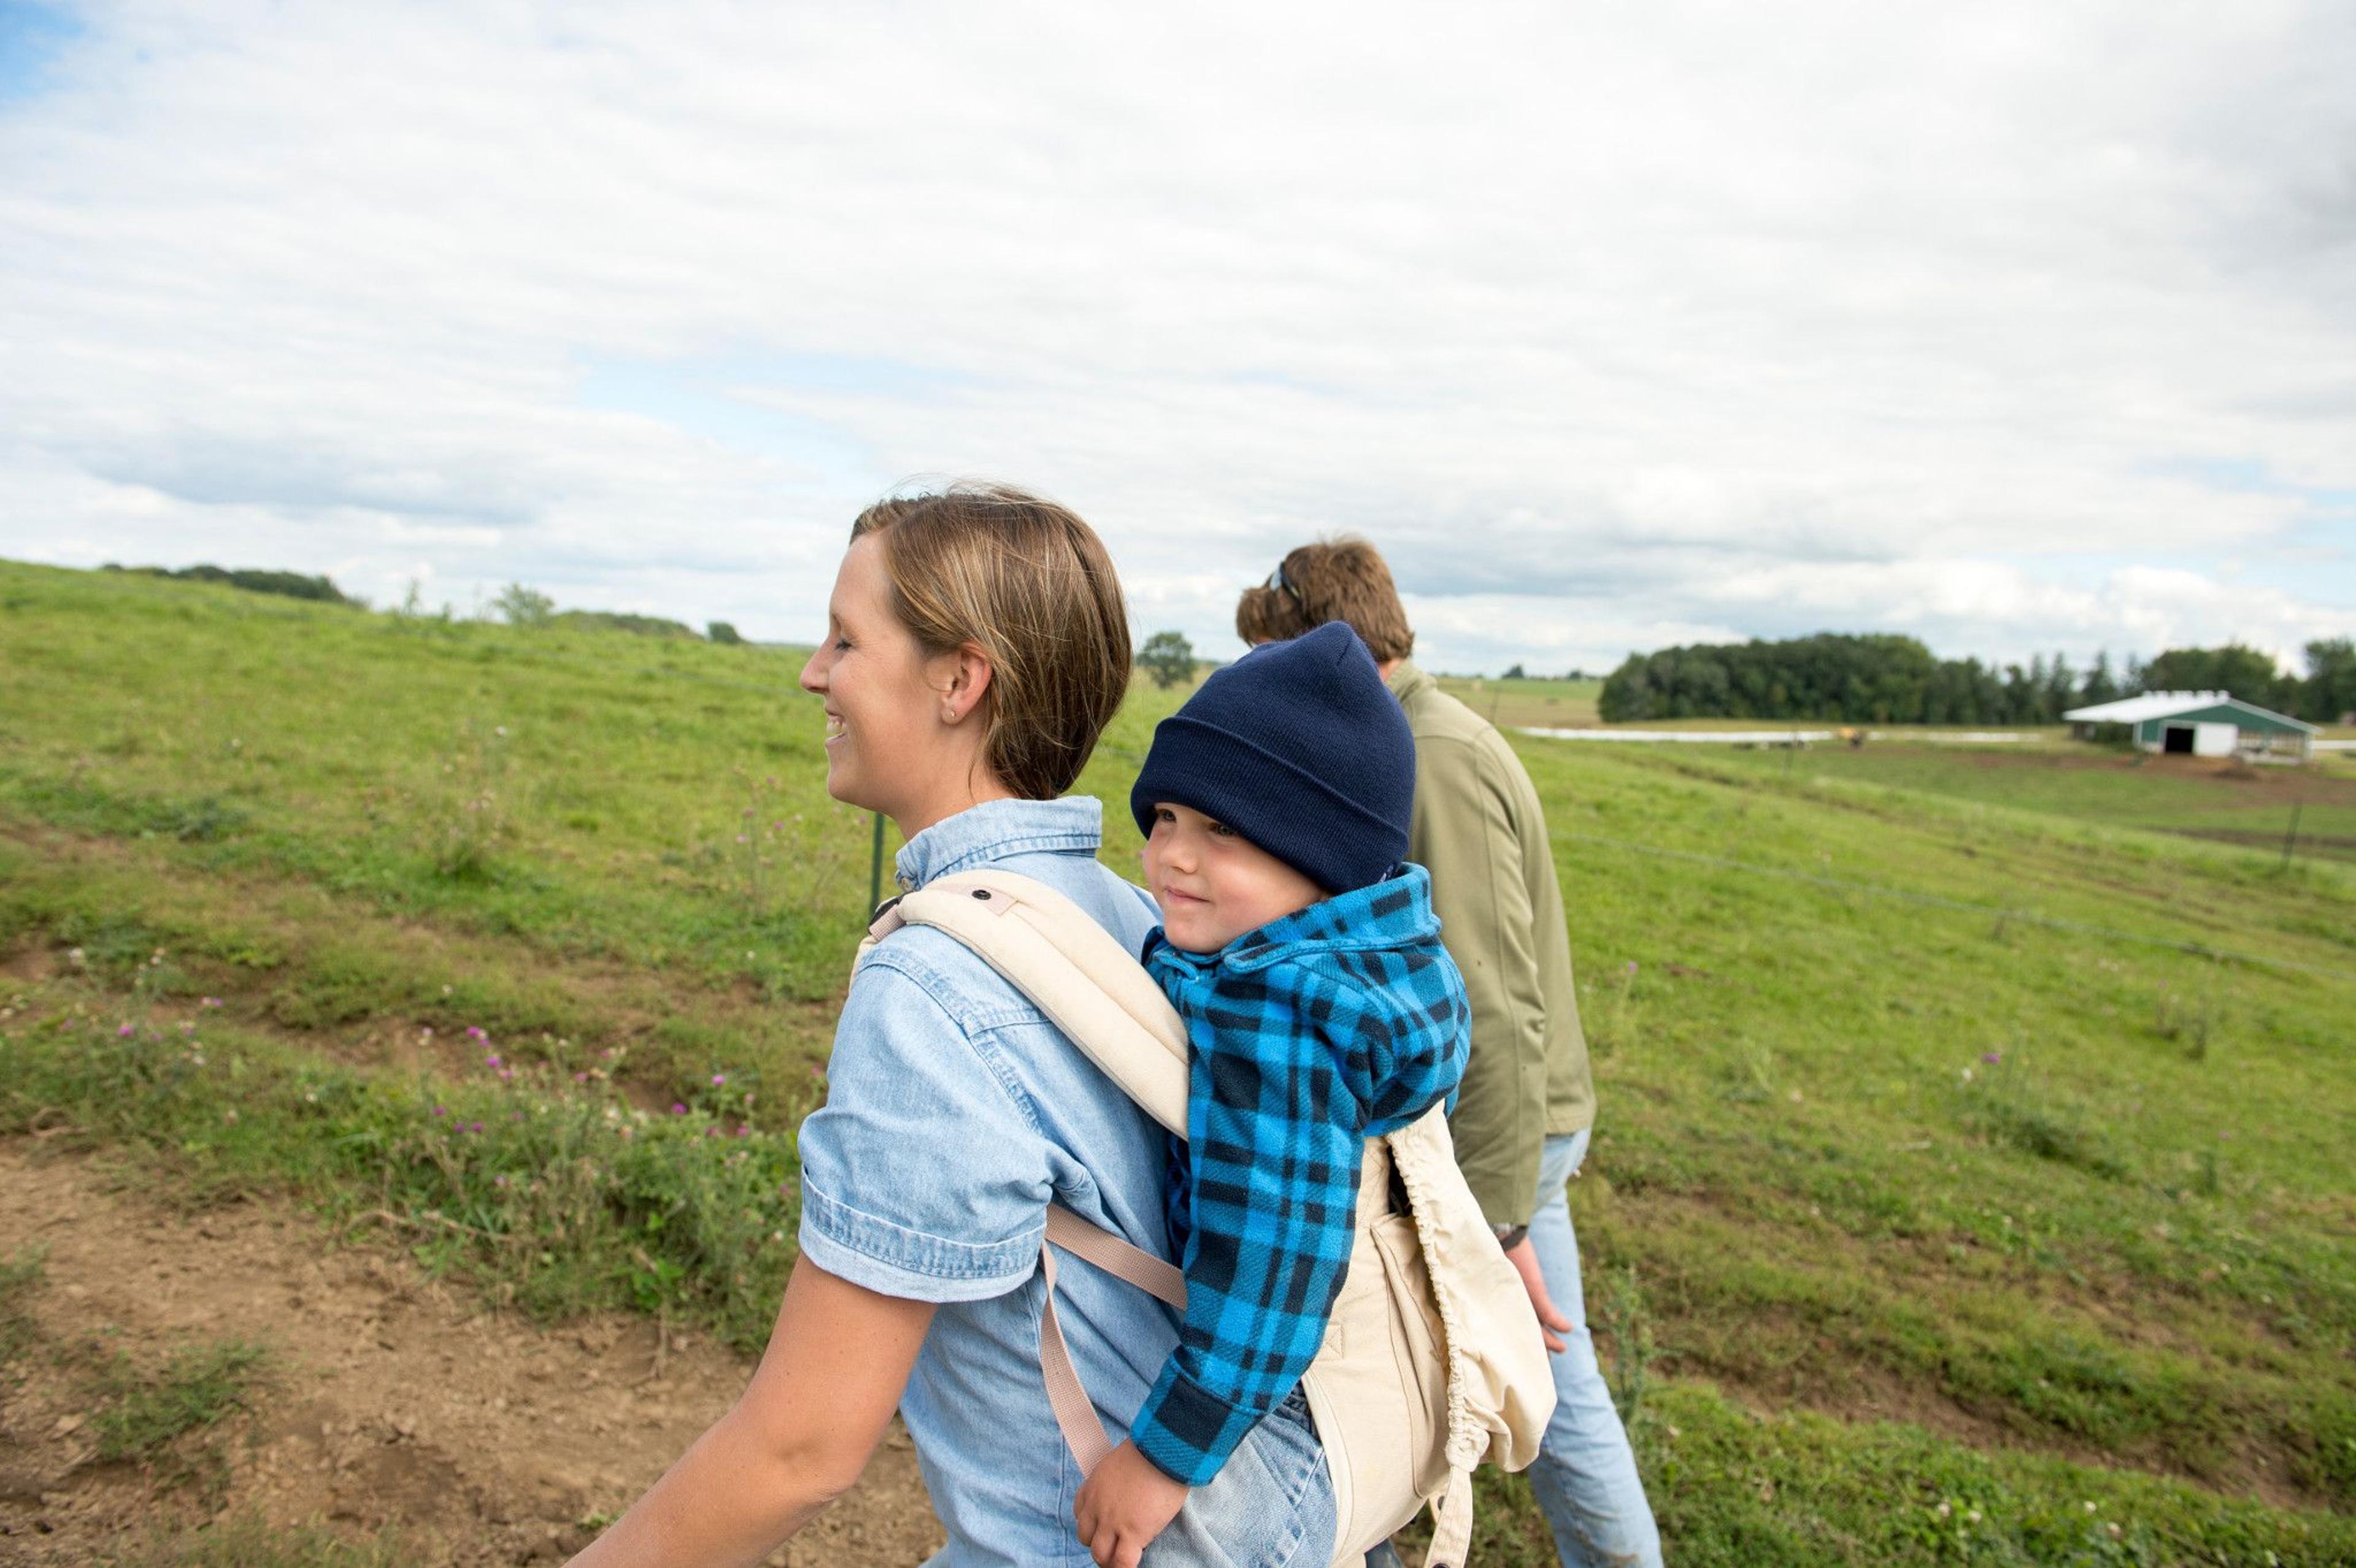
[(1528, 1101)]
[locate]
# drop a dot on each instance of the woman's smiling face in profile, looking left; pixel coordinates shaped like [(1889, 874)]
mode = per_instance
[(885, 722)]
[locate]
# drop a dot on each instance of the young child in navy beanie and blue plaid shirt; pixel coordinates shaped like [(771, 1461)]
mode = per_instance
[(1321, 1011)]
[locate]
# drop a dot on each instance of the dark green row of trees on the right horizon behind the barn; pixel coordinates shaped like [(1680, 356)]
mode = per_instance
[(1898, 682)]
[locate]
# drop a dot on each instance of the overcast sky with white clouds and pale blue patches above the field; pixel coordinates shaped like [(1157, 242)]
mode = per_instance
[(2008, 326)]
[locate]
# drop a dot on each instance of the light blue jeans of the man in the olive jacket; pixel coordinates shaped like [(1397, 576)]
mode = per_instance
[(1584, 1473)]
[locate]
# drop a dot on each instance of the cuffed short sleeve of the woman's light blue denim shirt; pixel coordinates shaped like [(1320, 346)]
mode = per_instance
[(922, 1176)]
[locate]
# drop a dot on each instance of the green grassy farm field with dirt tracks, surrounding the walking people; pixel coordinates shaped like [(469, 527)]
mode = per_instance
[(404, 1028)]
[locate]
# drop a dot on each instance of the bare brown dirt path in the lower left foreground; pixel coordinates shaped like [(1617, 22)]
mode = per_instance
[(397, 1402)]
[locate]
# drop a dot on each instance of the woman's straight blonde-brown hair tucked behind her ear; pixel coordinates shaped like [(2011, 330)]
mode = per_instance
[(1033, 587)]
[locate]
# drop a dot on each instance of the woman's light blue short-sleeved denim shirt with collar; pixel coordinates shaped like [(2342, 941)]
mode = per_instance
[(955, 1115)]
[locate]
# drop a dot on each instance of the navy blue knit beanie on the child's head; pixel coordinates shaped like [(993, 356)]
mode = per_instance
[(1302, 750)]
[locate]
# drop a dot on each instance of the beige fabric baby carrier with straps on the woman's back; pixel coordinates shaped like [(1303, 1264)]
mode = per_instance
[(1434, 1360)]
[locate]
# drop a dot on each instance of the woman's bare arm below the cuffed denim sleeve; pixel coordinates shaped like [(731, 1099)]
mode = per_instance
[(793, 1444)]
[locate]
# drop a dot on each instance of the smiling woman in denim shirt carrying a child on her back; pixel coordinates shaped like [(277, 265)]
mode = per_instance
[(977, 646)]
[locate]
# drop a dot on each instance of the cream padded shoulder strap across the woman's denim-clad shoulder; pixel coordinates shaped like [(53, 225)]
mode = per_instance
[(1073, 969)]
